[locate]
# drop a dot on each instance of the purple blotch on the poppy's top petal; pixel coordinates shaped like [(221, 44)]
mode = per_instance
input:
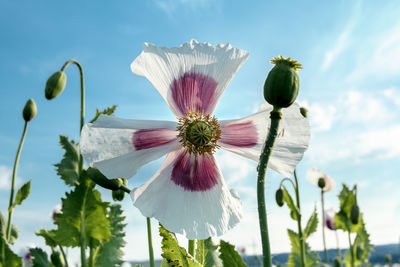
[(194, 91)]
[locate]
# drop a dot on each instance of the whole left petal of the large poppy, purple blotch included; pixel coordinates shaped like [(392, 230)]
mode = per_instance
[(119, 147)]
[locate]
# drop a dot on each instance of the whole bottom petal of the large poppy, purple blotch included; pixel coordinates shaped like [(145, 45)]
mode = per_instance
[(189, 196)]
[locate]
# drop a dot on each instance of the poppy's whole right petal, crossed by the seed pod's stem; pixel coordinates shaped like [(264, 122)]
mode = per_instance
[(246, 137)]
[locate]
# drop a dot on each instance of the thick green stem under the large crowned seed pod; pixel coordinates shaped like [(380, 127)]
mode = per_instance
[(275, 116)]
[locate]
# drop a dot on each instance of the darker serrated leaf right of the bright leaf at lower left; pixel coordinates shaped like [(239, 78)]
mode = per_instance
[(109, 252)]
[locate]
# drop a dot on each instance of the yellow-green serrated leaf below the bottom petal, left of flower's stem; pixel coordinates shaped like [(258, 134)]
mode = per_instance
[(173, 253)]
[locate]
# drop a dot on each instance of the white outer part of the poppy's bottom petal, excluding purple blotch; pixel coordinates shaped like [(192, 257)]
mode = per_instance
[(195, 214)]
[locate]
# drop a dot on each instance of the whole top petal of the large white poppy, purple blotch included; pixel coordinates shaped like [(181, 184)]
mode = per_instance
[(192, 76)]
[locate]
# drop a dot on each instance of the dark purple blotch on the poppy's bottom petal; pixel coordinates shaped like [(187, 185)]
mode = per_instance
[(195, 173)]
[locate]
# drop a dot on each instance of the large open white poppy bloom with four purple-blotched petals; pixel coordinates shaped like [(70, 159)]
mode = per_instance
[(188, 194)]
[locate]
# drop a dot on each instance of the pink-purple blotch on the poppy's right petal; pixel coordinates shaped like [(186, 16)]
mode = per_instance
[(243, 134)]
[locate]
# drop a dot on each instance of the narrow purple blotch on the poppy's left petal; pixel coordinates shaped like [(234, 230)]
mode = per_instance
[(148, 138)]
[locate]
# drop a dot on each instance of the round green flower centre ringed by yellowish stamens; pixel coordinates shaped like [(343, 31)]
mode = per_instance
[(199, 133)]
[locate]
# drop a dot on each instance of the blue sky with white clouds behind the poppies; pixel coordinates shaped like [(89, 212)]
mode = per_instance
[(349, 50)]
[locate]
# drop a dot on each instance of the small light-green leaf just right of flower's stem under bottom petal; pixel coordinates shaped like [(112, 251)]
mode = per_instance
[(207, 254)]
